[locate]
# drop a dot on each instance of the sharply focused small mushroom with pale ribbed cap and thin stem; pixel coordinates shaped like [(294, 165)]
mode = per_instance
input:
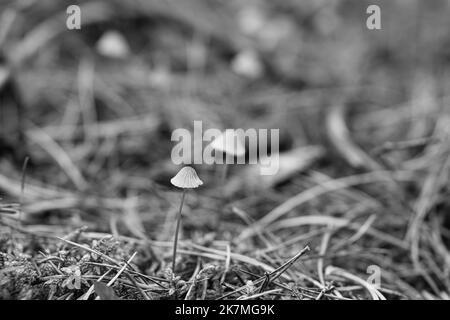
[(186, 178)]
